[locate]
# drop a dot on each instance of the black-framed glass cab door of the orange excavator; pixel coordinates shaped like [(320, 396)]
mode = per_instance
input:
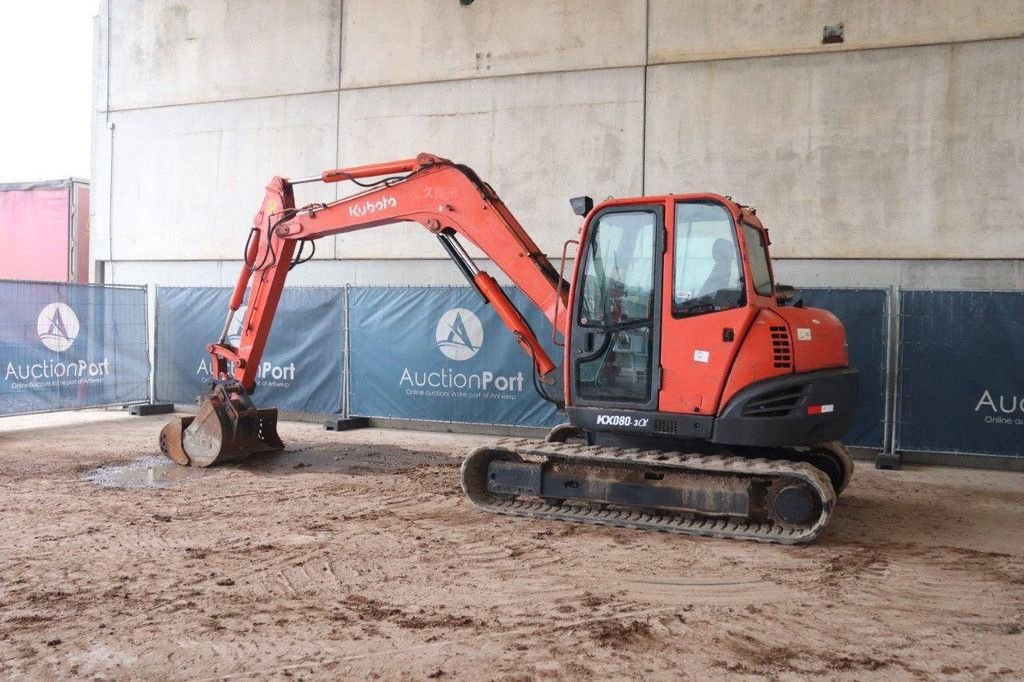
[(615, 340)]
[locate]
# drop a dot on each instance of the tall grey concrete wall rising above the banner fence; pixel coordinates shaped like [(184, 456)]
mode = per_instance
[(897, 156)]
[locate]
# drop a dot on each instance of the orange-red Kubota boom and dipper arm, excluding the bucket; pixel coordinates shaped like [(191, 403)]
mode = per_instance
[(449, 200)]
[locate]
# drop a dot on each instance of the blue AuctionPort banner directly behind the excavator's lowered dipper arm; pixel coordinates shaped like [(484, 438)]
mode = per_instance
[(302, 369)]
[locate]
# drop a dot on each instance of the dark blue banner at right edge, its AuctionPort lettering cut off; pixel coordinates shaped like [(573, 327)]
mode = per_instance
[(962, 373)]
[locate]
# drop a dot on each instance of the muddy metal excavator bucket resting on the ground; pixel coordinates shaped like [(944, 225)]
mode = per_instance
[(228, 429)]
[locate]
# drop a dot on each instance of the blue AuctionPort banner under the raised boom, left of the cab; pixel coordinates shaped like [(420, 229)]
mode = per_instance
[(443, 355)]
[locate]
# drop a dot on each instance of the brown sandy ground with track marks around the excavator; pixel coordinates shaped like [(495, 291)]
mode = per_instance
[(356, 556)]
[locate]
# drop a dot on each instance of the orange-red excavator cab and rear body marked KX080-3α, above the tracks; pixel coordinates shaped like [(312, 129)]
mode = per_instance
[(676, 334)]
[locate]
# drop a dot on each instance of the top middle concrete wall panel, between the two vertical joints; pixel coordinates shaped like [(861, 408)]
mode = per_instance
[(413, 41)]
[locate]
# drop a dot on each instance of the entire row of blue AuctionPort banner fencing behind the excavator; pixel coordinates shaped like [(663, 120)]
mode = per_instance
[(941, 371)]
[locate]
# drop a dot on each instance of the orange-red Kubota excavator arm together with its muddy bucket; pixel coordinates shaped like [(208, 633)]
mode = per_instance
[(448, 199)]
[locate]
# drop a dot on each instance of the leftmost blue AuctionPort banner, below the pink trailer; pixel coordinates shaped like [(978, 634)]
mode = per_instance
[(68, 347)]
